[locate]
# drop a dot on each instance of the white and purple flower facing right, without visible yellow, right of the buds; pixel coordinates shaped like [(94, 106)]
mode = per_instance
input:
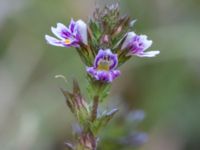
[(137, 45)]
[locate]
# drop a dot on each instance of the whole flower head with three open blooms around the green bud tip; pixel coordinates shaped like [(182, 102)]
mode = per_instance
[(103, 42)]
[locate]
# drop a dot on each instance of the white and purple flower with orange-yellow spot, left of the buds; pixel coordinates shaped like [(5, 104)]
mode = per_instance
[(73, 35)]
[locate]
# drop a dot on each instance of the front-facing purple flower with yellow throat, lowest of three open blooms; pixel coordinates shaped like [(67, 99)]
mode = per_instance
[(104, 67)]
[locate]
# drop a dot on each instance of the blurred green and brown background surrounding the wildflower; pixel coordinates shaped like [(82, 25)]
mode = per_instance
[(33, 114)]
